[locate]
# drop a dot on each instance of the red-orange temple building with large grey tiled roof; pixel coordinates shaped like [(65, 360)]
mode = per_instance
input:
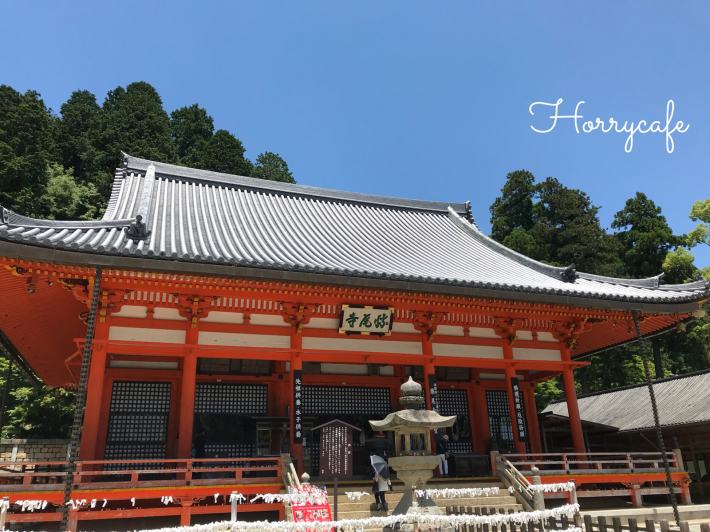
[(235, 315)]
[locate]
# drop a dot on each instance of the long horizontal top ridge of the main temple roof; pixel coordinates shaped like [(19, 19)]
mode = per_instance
[(276, 187)]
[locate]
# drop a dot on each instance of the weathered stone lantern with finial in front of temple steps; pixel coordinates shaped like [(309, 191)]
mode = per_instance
[(414, 460)]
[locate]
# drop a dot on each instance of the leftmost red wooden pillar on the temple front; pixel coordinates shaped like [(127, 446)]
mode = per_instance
[(94, 393)]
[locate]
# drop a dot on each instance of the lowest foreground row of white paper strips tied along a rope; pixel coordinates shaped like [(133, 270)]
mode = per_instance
[(424, 520)]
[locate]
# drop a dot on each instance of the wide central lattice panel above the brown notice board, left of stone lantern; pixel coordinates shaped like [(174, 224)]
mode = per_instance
[(345, 400)]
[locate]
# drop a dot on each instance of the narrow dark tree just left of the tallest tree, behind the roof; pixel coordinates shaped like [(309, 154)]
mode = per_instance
[(79, 114)]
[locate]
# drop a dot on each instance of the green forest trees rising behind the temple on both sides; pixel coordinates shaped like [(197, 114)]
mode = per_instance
[(61, 166)]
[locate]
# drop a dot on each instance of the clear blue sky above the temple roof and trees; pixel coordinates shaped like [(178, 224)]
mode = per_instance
[(413, 99)]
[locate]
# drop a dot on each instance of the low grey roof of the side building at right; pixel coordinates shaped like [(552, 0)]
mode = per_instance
[(681, 400)]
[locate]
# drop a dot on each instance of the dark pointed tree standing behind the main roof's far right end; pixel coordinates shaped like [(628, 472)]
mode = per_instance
[(645, 236)]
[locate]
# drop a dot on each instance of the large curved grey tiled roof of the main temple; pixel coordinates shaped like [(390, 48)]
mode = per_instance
[(198, 216)]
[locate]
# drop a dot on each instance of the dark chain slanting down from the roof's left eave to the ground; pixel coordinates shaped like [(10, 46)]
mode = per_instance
[(80, 399)]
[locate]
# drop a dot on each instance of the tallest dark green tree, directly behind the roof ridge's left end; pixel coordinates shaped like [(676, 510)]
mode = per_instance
[(132, 120)]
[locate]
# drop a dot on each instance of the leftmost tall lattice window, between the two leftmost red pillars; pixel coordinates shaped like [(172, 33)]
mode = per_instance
[(138, 424)]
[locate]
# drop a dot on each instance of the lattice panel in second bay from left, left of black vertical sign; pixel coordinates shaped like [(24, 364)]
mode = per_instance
[(247, 399)]
